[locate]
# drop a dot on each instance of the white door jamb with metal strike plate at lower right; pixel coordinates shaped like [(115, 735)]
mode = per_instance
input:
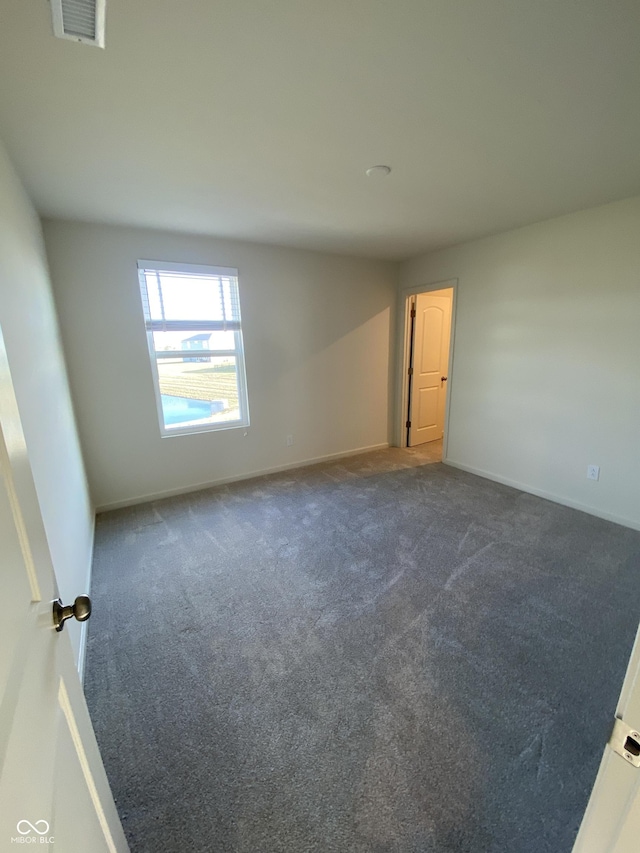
[(611, 823)]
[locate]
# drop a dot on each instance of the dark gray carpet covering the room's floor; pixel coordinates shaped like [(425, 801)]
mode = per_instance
[(377, 656)]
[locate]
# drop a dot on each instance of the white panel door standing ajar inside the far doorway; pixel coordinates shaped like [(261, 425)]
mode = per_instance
[(432, 332)]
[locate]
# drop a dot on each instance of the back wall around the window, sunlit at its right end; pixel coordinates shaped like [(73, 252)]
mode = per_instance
[(317, 344)]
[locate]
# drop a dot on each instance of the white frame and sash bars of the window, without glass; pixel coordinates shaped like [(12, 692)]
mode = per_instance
[(144, 266)]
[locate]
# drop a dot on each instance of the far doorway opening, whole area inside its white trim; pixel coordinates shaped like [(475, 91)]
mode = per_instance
[(427, 372)]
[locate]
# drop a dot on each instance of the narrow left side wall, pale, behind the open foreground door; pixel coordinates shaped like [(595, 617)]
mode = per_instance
[(29, 326)]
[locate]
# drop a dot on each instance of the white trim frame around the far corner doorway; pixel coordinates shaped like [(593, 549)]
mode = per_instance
[(406, 294)]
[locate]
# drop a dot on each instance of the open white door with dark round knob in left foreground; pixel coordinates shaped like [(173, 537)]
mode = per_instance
[(53, 788)]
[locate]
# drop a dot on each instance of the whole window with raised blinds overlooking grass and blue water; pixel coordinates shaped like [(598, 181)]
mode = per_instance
[(192, 318)]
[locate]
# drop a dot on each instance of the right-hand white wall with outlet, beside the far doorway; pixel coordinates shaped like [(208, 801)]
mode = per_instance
[(546, 370)]
